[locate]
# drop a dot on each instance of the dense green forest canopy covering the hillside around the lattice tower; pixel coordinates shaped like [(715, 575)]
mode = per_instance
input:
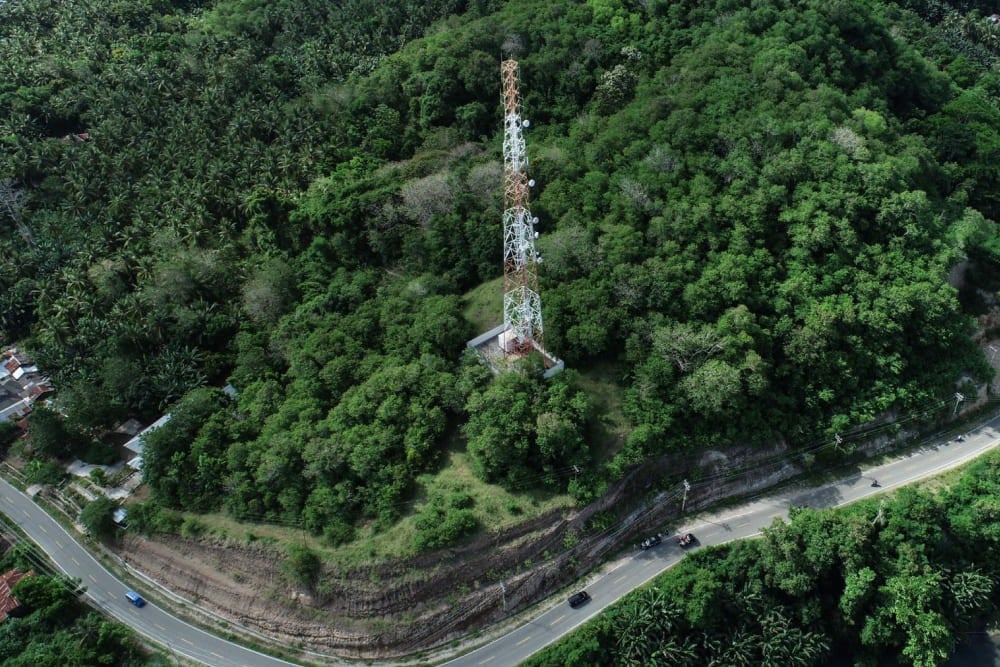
[(749, 211)]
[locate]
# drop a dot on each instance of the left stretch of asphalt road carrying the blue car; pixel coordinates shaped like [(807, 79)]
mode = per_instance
[(108, 593)]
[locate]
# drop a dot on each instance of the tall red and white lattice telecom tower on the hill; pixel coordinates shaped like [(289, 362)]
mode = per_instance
[(522, 306)]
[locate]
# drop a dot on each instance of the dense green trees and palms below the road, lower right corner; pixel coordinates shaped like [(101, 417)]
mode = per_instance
[(894, 579)]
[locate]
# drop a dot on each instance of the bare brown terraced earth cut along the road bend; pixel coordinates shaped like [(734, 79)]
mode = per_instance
[(396, 608)]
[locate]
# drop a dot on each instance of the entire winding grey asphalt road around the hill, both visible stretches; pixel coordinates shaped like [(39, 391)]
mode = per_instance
[(553, 619)]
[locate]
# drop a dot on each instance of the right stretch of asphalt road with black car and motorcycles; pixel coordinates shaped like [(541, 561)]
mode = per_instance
[(633, 570)]
